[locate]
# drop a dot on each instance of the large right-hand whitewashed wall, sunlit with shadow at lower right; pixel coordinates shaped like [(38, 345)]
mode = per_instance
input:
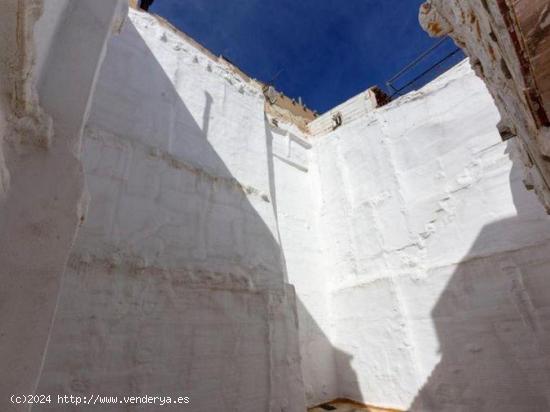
[(439, 256)]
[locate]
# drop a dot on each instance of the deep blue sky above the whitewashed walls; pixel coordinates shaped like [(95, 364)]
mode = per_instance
[(327, 52)]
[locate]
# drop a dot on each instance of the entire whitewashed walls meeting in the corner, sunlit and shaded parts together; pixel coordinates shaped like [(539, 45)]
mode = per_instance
[(417, 257)]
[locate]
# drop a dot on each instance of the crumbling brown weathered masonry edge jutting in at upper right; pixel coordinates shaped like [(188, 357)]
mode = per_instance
[(499, 37)]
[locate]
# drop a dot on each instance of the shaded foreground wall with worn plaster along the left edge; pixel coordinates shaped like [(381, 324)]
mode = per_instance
[(41, 177)]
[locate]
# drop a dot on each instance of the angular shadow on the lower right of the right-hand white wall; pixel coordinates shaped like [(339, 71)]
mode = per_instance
[(492, 323)]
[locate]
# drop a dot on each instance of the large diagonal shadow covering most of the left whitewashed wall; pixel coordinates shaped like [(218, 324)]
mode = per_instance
[(171, 313)]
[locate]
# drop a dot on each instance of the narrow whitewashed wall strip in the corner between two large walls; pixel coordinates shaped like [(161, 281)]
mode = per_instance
[(296, 197)]
